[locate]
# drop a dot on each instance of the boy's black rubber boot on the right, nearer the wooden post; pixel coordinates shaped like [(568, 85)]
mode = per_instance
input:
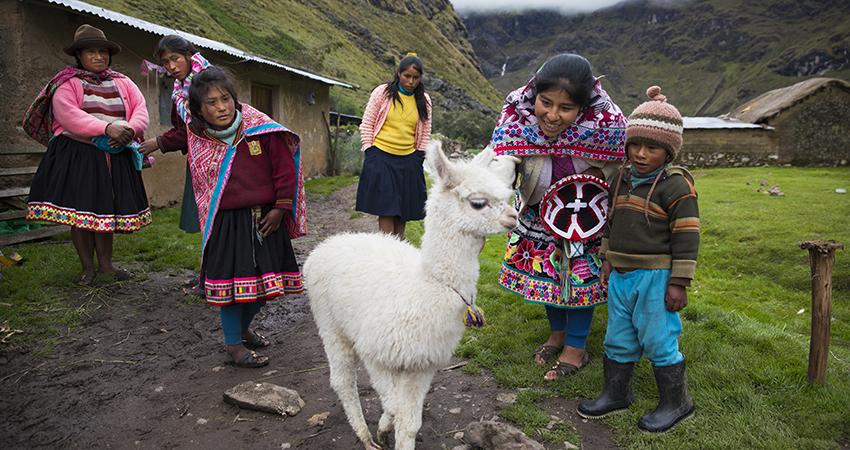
[(674, 403)]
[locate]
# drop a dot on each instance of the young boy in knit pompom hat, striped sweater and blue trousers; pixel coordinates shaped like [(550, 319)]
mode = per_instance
[(650, 249)]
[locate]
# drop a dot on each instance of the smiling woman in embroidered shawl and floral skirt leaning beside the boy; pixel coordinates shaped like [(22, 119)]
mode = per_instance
[(561, 123)]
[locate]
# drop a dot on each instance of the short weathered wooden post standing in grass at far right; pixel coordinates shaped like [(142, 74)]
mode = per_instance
[(821, 257)]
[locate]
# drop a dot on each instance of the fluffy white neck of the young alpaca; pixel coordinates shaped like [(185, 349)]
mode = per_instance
[(449, 256)]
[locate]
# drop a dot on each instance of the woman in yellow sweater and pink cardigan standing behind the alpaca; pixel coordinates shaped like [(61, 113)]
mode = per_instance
[(396, 128)]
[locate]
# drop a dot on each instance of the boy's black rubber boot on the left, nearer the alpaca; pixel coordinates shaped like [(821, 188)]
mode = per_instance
[(616, 394)]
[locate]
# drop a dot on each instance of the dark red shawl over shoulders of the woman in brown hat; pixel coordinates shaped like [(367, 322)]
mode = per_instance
[(38, 120)]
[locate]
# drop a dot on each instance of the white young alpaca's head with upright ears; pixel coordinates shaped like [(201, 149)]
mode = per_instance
[(471, 196)]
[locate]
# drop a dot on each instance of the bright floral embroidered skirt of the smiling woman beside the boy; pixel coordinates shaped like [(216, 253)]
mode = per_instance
[(532, 267)]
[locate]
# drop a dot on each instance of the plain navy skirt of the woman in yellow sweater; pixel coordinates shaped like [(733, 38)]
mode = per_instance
[(392, 185)]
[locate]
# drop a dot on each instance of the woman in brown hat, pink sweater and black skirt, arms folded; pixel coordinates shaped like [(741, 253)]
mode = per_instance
[(91, 118)]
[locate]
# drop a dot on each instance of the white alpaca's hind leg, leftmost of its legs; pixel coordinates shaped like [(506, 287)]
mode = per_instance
[(342, 362)]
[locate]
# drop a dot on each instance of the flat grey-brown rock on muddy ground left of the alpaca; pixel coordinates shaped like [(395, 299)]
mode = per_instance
[(266, 397)]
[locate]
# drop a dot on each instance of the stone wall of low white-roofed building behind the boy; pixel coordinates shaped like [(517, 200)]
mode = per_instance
[(728, 147)]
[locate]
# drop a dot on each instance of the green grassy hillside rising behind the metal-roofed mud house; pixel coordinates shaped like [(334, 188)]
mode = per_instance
[(359, 41)]
